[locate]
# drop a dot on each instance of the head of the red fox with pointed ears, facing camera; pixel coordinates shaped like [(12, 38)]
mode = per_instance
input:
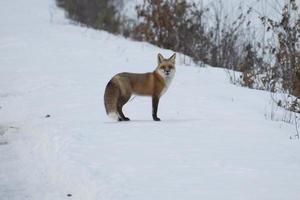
[(166, 67)]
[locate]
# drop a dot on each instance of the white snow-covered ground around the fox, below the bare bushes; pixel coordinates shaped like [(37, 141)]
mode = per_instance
[(214, 141)]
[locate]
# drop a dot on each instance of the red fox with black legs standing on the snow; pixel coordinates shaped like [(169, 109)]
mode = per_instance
[(120, 88)]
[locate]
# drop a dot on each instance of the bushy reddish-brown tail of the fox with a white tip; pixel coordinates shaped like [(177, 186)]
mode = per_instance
[(111, 95)]
